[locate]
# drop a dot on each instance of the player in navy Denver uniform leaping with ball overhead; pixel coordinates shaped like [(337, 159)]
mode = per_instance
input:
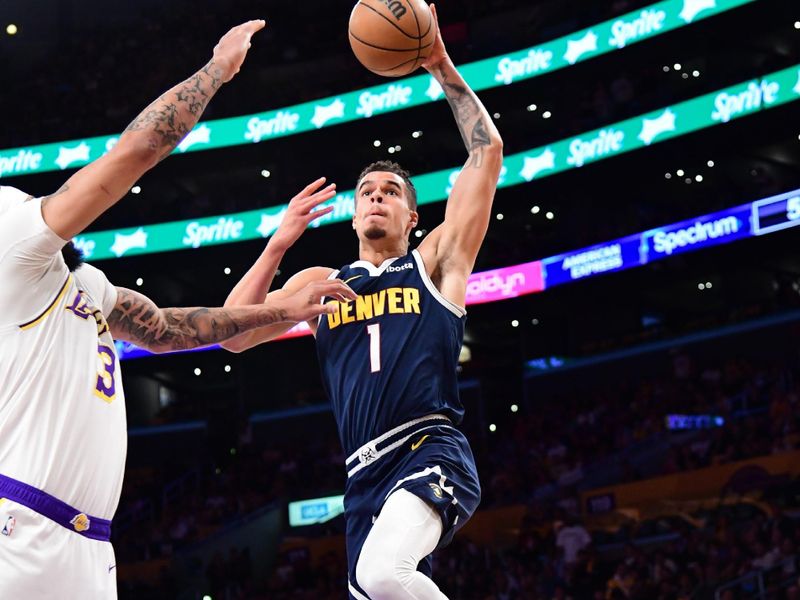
[(389, 358)]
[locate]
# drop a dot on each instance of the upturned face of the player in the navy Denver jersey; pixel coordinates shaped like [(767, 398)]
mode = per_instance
[(382, 209)]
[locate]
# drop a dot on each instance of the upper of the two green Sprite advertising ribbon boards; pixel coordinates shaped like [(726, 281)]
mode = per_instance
[(603, 38)]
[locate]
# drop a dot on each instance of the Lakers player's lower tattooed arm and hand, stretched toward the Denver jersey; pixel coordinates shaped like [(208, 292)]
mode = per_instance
[(137, 319)]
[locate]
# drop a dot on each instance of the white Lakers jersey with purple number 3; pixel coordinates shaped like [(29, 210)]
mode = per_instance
[(62, 409)]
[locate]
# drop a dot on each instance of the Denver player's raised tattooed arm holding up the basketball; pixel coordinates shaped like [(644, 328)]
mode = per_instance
[(450, 250)]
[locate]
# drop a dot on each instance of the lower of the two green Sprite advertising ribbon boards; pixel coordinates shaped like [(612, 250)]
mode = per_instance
[(572, 153)]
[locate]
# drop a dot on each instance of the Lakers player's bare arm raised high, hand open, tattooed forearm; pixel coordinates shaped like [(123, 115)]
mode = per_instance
[(147, 140)]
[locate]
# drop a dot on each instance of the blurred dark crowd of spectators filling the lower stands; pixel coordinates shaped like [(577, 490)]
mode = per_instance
[(546, 459)]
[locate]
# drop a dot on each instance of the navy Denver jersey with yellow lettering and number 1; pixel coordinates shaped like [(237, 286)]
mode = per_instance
[(391, 355)]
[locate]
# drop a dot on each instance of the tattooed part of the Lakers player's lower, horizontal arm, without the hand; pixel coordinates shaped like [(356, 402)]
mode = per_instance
[(138, 319)]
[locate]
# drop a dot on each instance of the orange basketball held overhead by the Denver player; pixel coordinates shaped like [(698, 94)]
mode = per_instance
[(392, 37)]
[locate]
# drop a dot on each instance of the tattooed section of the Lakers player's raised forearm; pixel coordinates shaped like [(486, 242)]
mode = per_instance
[(174, 114)]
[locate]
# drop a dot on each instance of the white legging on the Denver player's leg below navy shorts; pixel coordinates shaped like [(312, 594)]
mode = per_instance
[(406, 531)]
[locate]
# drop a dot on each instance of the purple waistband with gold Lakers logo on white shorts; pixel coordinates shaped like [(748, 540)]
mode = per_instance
[(54, 509)]
